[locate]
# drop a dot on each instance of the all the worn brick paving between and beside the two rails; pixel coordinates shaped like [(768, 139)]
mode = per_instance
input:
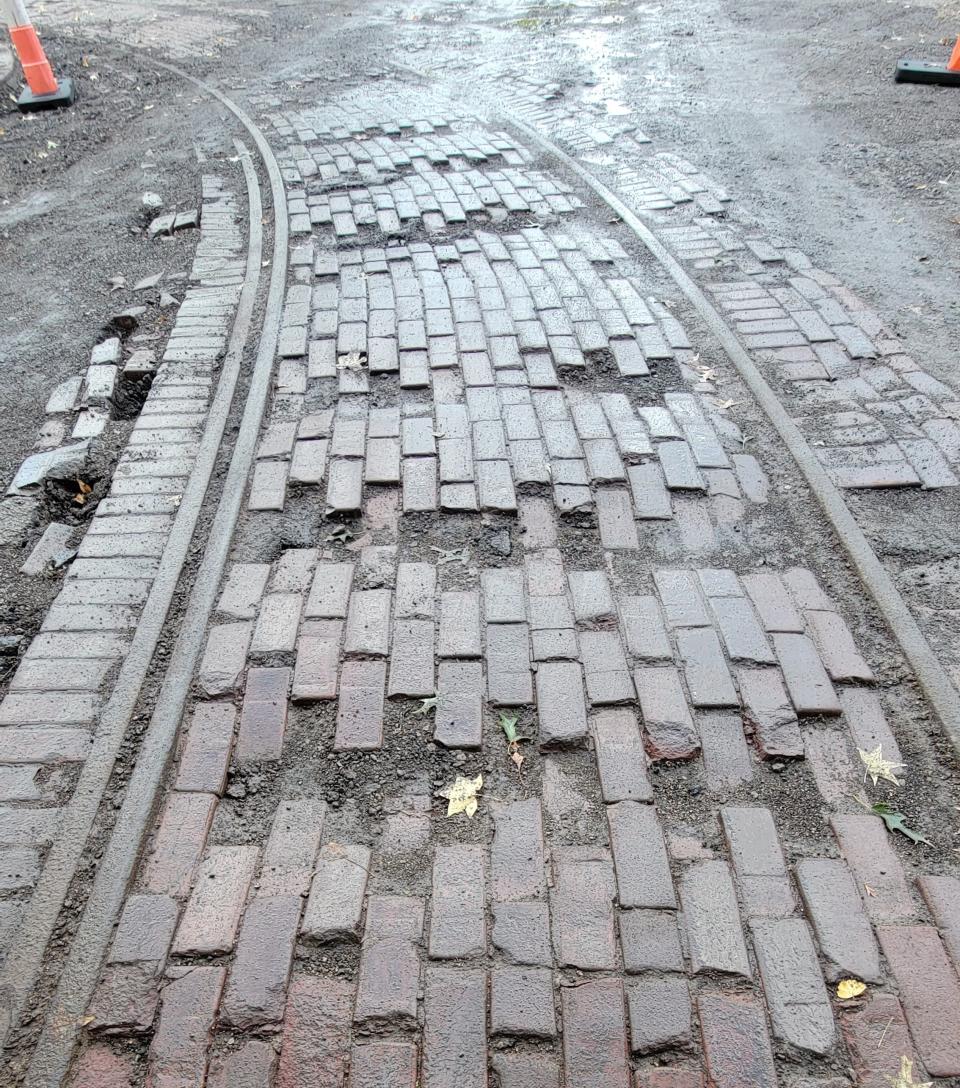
[(508, 481)]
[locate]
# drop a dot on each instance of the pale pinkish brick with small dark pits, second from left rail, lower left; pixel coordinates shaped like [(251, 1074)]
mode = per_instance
[(212, 918)]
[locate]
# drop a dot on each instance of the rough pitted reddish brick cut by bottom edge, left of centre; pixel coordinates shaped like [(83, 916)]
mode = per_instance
[(316, 1034)]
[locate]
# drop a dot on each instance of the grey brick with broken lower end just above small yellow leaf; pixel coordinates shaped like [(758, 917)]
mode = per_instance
[(836, 912)]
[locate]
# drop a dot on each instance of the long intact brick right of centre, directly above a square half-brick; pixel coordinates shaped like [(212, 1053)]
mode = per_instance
[(641, 858)]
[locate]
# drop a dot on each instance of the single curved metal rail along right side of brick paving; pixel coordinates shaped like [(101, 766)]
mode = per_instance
[(931, 674)]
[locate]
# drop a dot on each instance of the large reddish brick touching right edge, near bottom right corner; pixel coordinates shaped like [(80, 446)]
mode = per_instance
[(930, 993)]
